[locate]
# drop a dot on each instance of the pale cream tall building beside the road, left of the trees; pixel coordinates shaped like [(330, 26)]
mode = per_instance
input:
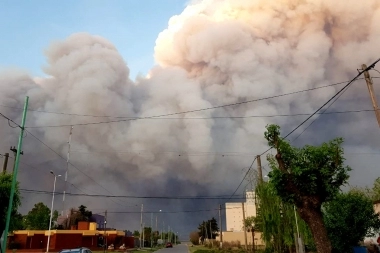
[(234, 212)]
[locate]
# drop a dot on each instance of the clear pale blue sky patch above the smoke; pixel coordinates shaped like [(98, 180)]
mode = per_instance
[(28, 27)]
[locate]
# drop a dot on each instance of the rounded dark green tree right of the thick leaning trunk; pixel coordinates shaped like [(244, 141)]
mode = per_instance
[(349, 218)]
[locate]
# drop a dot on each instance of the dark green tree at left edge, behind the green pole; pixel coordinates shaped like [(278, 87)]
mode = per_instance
[(5, 190)]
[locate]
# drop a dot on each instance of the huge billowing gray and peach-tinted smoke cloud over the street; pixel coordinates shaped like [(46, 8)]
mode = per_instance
[(215, 52)]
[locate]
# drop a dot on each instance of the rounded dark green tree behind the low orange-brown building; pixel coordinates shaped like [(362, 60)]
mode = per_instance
[(38, 218)]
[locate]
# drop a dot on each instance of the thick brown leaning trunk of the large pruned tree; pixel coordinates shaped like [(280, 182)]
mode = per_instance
[(313, 217)]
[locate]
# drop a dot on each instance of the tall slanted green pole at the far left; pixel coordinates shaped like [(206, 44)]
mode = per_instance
[(14, 177)]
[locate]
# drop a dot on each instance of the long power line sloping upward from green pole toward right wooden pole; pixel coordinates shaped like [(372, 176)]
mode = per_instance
[(190, 111)]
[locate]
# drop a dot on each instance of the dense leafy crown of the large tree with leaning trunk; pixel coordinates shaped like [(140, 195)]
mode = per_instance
[(307, 171)]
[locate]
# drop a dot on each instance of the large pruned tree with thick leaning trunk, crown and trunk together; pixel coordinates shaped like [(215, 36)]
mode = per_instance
[(307, 177)]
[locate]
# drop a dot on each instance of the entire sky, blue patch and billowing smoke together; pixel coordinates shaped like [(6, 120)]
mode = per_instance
[(274, 61)]
